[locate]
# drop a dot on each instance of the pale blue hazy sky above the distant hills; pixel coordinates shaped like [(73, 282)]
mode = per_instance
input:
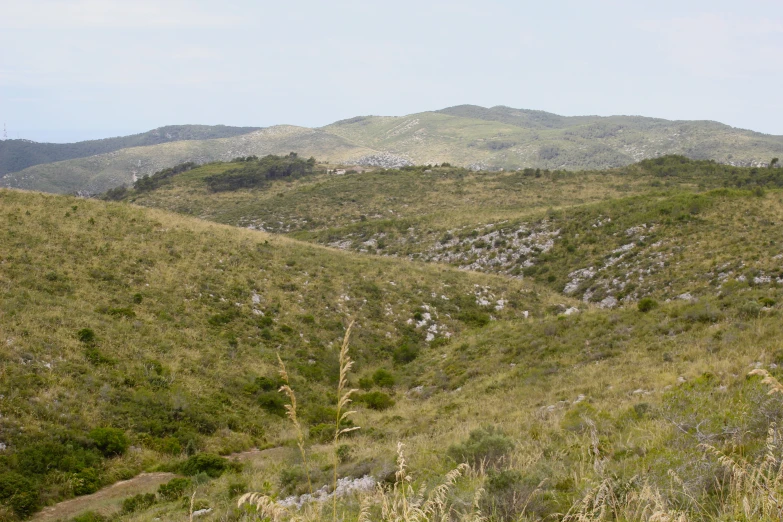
[(85, 69)]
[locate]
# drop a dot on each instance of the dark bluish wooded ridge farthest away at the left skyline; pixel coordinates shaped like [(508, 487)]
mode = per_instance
[(16, 155)]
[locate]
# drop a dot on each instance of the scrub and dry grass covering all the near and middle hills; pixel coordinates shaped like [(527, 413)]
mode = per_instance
[(532, 345)]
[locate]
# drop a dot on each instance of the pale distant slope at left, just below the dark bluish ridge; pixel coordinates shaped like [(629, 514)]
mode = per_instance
[(99, 173)]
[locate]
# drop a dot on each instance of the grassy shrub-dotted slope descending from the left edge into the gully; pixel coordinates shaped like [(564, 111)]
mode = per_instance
[(187, 314)]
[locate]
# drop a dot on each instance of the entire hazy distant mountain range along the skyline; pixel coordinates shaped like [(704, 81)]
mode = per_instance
[(466, 135)]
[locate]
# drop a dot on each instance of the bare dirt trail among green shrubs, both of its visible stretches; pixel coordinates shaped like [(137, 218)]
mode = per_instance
[(107, 500)]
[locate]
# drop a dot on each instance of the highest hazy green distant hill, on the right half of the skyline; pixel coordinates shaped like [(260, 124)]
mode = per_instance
[(502, 137)]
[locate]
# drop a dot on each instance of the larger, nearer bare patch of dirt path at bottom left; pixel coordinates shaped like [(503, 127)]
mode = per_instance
[(105, 501)]
